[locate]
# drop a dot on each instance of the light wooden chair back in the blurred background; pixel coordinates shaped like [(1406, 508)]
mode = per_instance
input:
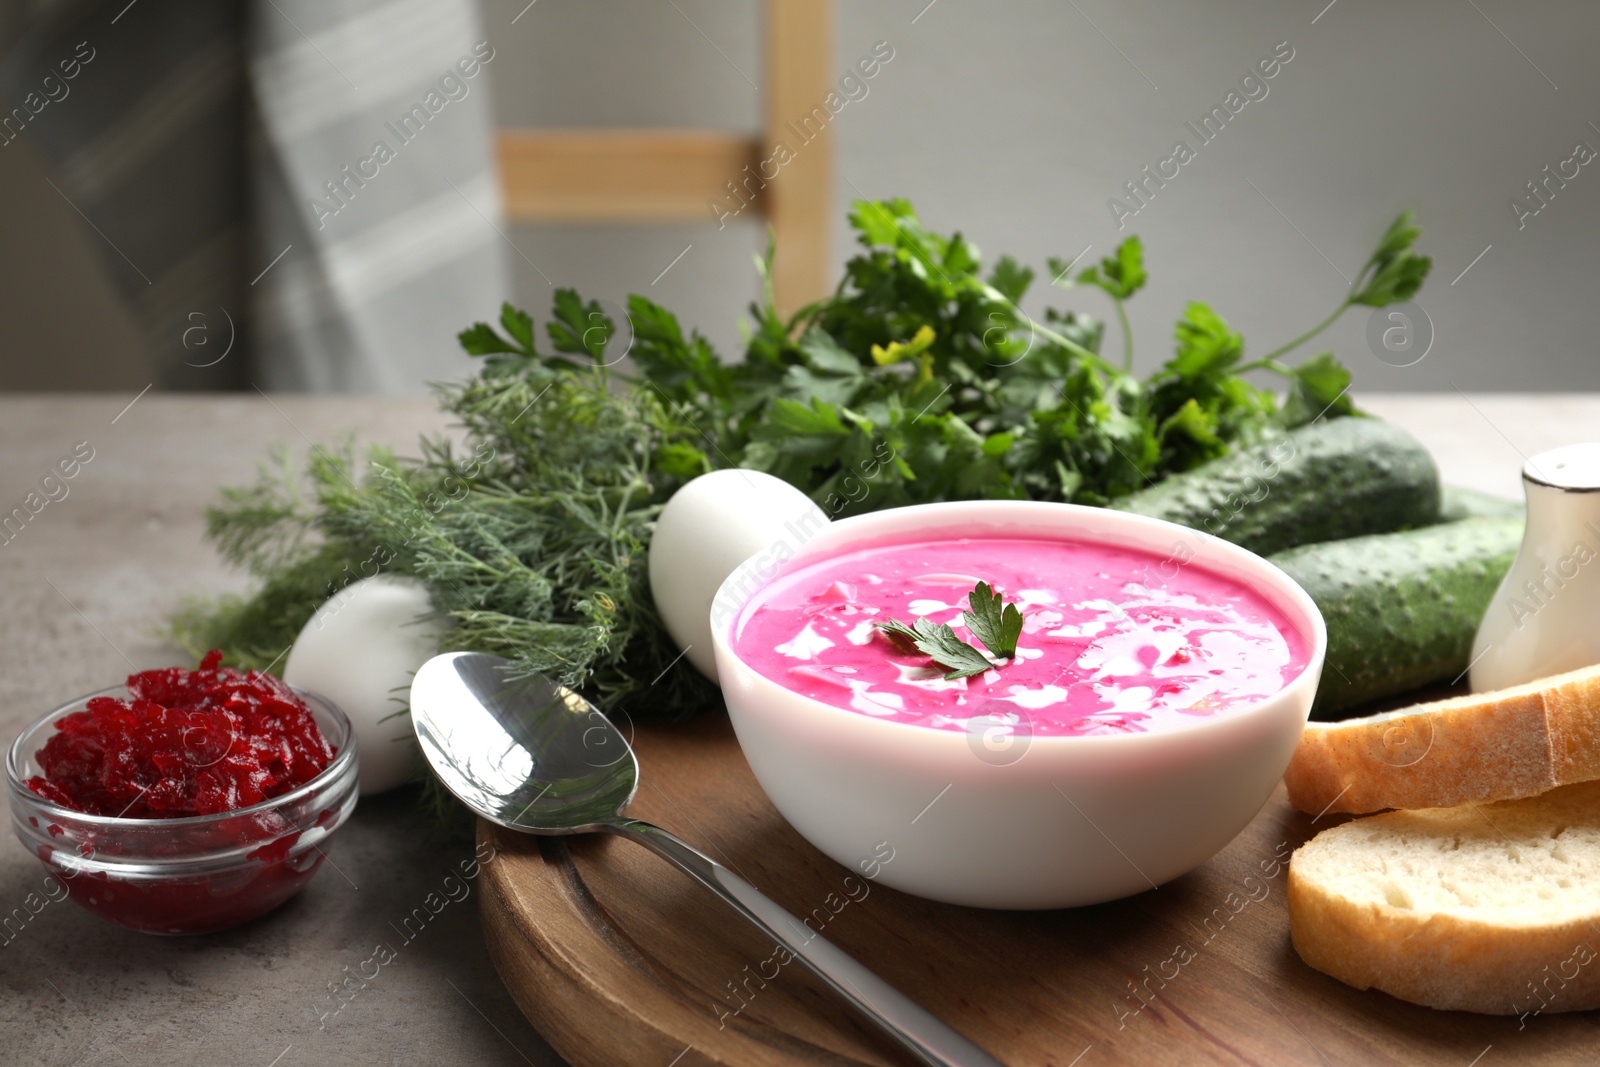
[(678, 175)]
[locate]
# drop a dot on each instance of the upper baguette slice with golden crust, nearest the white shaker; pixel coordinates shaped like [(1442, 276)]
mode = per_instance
[(1489, 746)]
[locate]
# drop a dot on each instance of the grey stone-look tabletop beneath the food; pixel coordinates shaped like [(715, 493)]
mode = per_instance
[(84, 588)]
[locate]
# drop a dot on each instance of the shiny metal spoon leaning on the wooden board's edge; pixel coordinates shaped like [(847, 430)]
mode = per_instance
[(530, 756)]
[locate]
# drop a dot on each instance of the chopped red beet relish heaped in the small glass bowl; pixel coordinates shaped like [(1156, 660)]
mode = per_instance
[(185, 743)]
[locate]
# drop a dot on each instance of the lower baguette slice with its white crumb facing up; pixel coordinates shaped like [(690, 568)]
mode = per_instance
[(1481, 908)]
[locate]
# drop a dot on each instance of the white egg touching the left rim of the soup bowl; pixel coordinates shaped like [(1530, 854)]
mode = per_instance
[(711, 527)]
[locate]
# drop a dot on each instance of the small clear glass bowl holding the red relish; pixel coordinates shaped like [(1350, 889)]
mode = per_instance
[(188, 876)]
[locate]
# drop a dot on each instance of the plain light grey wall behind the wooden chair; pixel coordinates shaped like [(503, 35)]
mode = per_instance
[(1017, 121)]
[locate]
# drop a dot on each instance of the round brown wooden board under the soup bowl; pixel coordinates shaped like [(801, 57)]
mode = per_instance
[(618, 959)]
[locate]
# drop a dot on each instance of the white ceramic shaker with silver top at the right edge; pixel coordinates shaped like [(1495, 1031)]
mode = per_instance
[(1545, 617)]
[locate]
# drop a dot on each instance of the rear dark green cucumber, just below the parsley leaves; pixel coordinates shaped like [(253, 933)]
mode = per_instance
[(1322, 482)]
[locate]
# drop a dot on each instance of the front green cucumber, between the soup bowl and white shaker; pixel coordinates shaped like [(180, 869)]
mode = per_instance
[(1401, 609)]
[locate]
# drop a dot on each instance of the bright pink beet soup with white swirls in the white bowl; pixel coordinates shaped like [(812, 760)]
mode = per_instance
[(1114, 641)]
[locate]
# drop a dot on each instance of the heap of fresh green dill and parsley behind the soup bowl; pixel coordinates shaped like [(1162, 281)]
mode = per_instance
[(921, 369)]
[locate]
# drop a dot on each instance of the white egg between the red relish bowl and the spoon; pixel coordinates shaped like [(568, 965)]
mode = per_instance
[(361, 652)]
